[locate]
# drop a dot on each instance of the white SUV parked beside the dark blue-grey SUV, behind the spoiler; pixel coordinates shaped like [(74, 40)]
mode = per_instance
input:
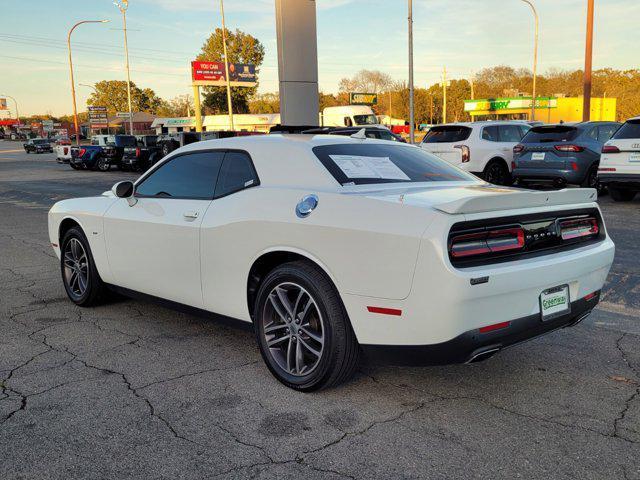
[(482, 148)]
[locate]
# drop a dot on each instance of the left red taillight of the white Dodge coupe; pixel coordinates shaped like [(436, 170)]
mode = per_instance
[(492, 241)]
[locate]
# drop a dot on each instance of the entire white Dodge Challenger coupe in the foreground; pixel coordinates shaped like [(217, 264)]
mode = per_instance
[(330, 247)]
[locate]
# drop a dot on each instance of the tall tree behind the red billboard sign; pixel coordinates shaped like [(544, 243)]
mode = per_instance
[(241, 48)]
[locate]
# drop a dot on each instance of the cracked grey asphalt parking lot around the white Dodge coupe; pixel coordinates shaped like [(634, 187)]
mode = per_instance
[(134, 390)]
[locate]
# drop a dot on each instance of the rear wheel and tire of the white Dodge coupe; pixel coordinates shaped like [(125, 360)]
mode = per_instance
[(307, 343)]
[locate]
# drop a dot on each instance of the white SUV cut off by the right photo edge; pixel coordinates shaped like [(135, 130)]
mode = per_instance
[(619, 166)]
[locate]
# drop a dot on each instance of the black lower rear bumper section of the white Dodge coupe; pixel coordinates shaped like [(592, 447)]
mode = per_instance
[(473, 345)]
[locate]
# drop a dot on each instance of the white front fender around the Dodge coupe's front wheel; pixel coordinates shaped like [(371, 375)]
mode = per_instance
[(88, 213)]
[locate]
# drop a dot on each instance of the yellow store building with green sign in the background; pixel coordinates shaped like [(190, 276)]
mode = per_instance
[(548, 109)]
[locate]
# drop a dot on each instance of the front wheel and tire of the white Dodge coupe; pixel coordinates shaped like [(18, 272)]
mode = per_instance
[(80, 277)]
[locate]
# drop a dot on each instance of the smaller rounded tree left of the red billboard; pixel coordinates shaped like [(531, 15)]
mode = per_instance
[(113, 95)]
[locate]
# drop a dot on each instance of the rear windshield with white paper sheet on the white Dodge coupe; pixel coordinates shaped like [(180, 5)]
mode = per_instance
[(376, 163)]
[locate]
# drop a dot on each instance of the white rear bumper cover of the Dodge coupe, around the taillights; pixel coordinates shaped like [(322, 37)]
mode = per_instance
[(444, 304)]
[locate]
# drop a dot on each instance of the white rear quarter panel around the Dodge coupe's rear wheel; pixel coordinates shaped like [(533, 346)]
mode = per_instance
[(367, 246)]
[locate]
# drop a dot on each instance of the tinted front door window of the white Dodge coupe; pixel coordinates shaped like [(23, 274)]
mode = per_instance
[(192, 175)]
